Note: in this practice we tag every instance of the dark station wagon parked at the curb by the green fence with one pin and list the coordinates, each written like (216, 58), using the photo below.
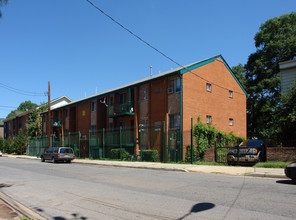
(55, 154)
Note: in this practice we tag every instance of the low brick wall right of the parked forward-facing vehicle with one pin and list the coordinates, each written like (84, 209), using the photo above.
(281, 154)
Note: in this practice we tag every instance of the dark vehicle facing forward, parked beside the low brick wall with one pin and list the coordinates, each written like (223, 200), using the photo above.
(249, 152)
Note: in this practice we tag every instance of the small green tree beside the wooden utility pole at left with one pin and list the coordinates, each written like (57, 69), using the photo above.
(34, 124)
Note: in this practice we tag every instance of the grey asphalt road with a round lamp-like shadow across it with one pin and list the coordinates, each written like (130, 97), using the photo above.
(75, 191)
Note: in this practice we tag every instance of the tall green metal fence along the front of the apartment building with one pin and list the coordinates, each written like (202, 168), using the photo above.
(170, 144)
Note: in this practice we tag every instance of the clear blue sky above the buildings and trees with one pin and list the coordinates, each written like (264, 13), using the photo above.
(80, 51)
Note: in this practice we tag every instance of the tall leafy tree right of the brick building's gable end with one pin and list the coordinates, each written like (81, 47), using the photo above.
(275, 42)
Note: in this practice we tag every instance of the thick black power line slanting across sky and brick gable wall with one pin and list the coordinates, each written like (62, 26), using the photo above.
(154, 48)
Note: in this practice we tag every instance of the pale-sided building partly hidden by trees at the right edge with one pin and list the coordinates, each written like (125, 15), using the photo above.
(288, 74)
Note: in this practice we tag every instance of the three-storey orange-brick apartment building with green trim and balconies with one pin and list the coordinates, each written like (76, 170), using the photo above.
(169, 100)
